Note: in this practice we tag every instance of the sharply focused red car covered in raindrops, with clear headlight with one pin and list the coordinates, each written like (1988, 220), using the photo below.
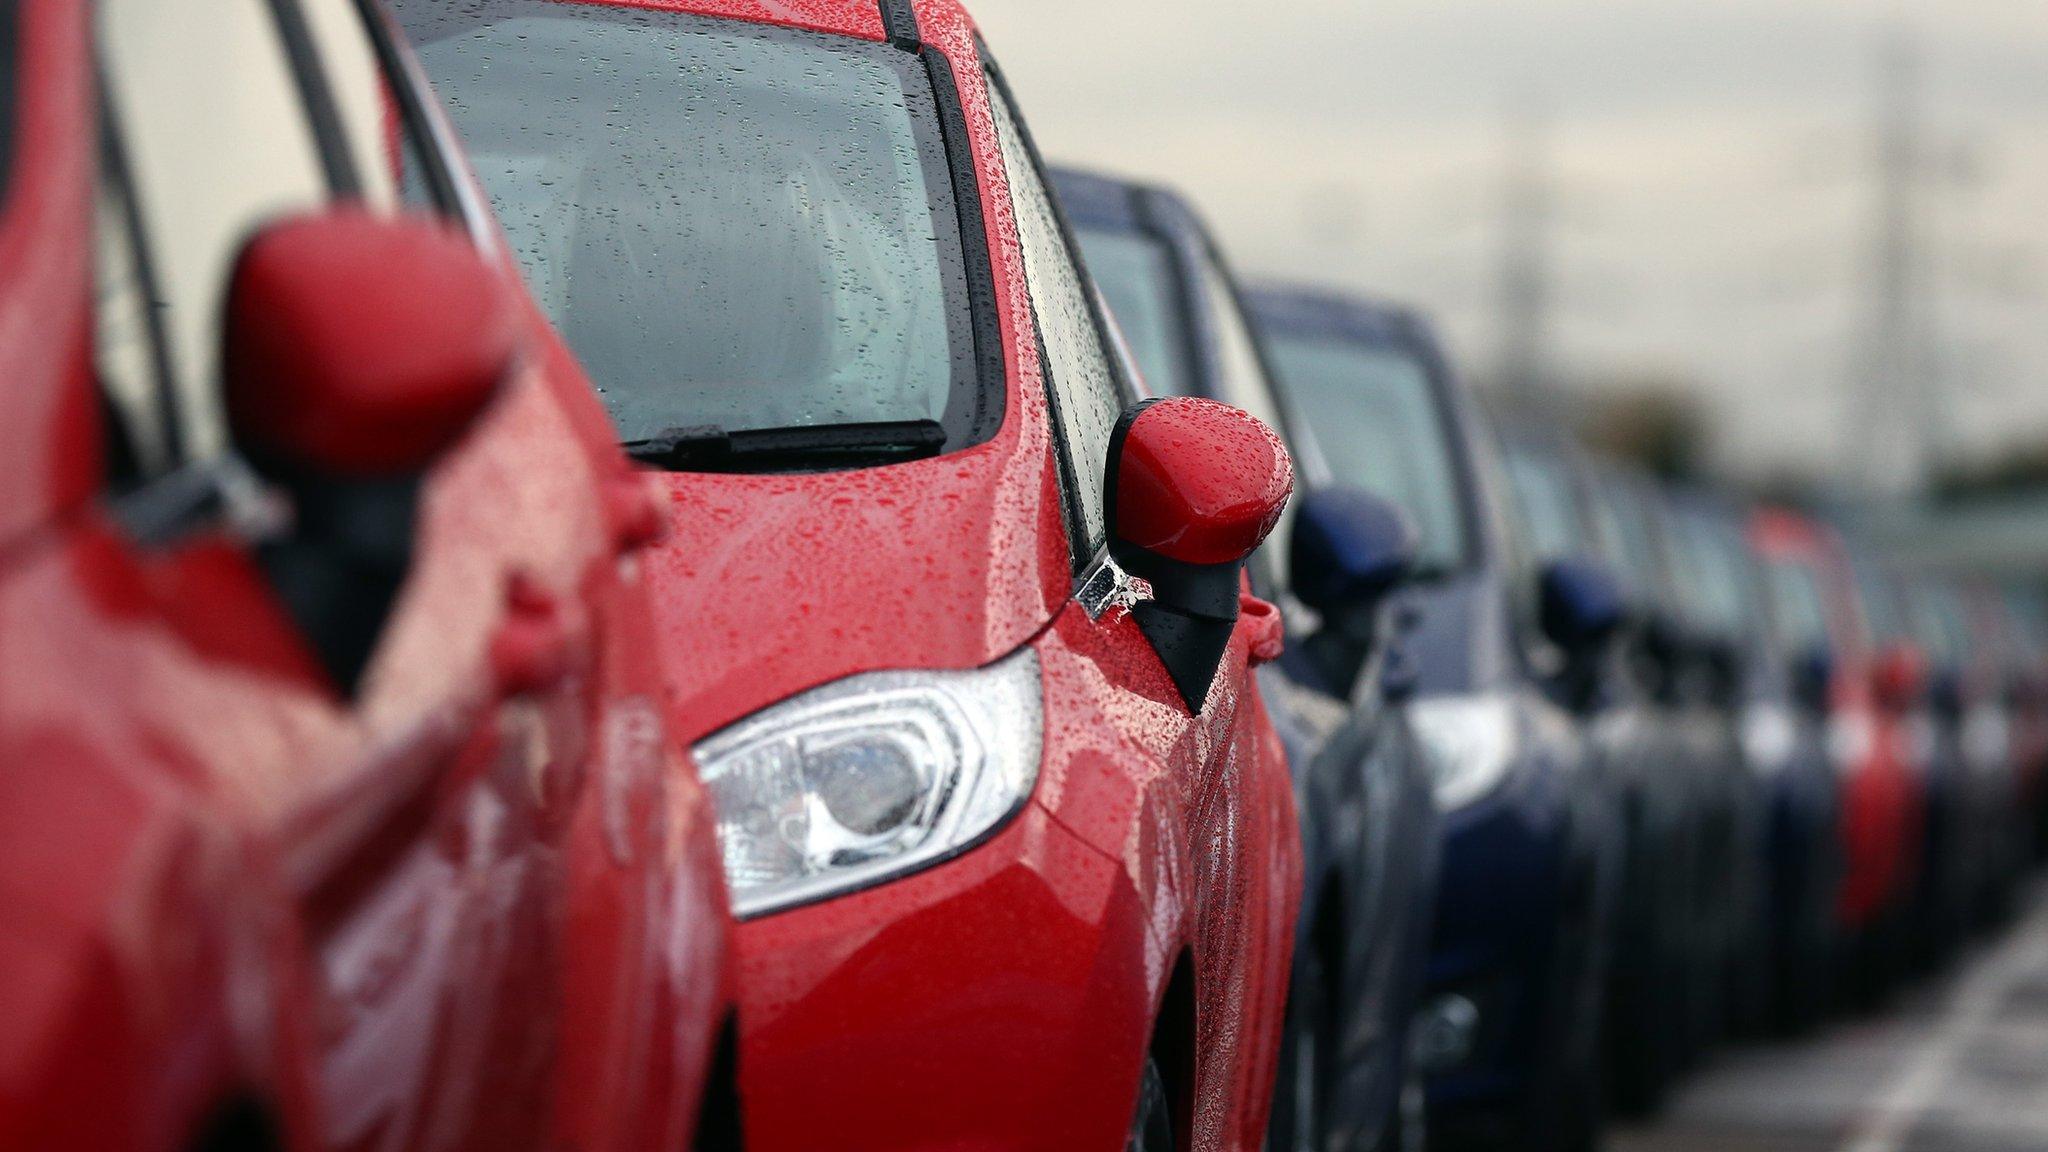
(1011, 835)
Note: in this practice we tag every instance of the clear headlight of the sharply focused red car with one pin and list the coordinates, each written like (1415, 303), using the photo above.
(871, 778)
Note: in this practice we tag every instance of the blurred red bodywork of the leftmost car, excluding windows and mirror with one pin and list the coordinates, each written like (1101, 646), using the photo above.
(472, 905)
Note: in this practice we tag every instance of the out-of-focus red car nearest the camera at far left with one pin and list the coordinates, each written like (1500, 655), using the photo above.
(337, 807)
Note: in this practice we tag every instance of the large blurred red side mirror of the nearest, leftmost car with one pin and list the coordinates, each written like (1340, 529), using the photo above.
(364, 347)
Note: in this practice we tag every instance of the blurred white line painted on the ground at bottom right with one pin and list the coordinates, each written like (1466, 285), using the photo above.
(1975, 1003)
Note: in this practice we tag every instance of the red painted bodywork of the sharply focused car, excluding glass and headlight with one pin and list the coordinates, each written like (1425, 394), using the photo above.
(1140, 903)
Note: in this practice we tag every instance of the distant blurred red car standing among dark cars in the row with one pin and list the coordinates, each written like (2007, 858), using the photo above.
(1871, 747)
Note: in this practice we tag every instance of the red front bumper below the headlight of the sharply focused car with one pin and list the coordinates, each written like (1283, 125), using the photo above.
(1000, 1001)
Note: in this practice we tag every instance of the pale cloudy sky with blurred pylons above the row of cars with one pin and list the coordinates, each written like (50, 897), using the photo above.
(1797, 245)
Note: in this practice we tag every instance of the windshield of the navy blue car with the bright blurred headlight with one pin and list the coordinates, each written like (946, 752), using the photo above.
(1379, 425)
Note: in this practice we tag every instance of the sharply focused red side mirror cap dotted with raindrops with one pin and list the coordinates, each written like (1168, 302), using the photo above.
(1197, 483)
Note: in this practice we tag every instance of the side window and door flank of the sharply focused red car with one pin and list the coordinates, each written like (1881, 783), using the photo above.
(1215, 846)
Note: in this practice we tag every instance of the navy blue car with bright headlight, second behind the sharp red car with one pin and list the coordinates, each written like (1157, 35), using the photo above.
(1510, 1030)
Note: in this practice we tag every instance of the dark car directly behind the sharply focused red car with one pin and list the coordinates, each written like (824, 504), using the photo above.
(1361, 776)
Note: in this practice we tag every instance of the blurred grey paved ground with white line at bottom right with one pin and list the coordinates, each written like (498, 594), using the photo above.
(1959, 1065)
